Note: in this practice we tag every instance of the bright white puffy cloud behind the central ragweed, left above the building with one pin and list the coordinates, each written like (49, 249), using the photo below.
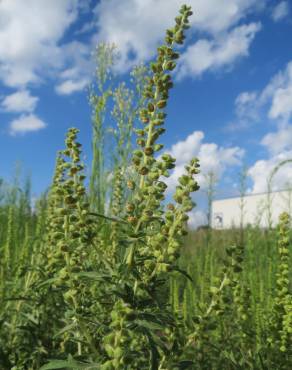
(213, 158)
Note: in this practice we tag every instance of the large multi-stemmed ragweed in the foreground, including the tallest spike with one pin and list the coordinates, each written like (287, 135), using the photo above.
(127, 280)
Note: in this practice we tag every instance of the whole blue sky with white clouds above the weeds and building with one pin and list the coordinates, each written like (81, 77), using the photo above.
(232, 102)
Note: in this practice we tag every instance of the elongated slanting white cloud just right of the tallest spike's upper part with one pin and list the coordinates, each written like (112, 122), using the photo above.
(224, 51)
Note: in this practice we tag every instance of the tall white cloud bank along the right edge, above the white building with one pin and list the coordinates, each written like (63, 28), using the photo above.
(273, 103)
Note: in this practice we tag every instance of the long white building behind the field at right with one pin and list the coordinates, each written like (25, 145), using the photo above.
(253, 209)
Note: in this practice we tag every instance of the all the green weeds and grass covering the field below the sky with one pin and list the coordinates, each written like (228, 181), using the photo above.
(108, 277)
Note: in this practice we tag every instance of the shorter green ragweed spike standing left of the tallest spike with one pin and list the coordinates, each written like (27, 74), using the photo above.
(72, 237)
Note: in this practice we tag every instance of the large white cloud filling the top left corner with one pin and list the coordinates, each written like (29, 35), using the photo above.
(30, 34)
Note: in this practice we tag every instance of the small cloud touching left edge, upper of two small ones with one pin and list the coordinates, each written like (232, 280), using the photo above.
(20, 101)
